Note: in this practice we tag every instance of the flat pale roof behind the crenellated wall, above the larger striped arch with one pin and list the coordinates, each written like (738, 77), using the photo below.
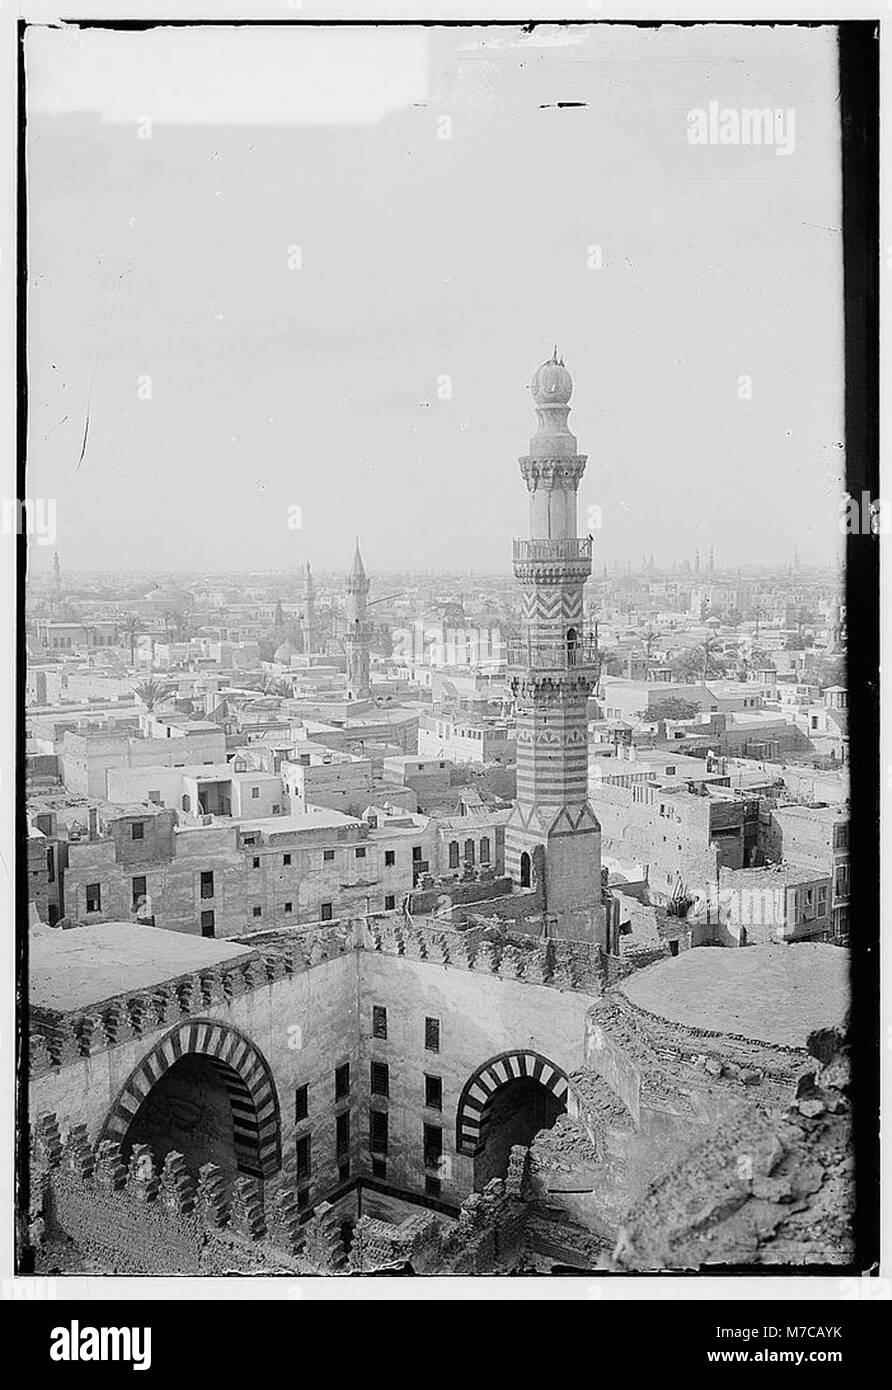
(87, 967)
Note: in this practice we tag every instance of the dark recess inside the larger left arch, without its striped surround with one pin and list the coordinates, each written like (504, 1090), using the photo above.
(190, 1111)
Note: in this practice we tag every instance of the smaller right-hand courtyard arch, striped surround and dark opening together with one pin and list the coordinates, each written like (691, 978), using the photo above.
(506, 1103)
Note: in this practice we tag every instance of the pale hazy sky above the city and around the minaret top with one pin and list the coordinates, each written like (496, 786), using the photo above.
(424, 258)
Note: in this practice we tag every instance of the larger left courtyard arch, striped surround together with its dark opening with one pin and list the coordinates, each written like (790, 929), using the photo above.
(206, 1092)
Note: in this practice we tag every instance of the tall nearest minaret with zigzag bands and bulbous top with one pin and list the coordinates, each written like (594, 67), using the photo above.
(554, 836)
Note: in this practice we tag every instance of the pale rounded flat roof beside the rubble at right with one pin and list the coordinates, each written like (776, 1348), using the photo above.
(772, 995)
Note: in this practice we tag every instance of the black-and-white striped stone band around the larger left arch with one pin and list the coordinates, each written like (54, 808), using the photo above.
(248, 1081)
